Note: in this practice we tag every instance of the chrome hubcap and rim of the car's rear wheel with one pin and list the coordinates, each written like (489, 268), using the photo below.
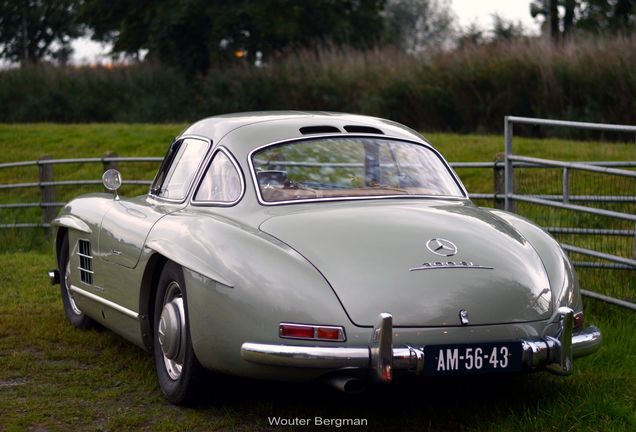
(171, 331)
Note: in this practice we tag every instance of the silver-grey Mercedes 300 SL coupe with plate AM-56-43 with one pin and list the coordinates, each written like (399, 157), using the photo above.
(304, 245)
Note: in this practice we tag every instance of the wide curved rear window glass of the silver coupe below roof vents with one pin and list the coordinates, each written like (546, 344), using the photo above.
(347, 167)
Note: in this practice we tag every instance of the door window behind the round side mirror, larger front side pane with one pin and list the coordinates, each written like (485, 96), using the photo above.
(176, 179)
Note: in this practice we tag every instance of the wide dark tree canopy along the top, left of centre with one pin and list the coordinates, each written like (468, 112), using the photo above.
(194, 34)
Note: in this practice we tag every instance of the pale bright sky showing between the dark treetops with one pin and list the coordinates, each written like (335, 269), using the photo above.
(467, 11)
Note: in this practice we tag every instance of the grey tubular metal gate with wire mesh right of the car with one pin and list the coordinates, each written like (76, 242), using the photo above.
(596, 227)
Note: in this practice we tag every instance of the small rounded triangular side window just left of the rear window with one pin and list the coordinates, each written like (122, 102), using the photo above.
(222, 181)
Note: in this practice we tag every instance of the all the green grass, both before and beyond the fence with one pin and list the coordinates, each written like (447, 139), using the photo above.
(53, 377)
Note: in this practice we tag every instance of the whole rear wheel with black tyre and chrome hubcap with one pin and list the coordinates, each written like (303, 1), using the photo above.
(178, 370)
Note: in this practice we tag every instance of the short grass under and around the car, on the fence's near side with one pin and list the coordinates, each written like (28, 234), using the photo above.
(53, 377)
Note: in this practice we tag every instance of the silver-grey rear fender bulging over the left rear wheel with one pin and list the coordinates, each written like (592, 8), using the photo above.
(241, 283)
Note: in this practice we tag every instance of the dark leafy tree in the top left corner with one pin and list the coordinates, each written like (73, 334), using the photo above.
(31, 30)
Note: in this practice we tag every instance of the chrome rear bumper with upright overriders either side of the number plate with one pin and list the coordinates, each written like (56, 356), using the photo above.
(554, 354)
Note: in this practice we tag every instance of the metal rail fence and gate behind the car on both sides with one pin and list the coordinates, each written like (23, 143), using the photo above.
(616, 211)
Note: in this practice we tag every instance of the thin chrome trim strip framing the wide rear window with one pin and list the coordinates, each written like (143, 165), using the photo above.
(384, 137)
